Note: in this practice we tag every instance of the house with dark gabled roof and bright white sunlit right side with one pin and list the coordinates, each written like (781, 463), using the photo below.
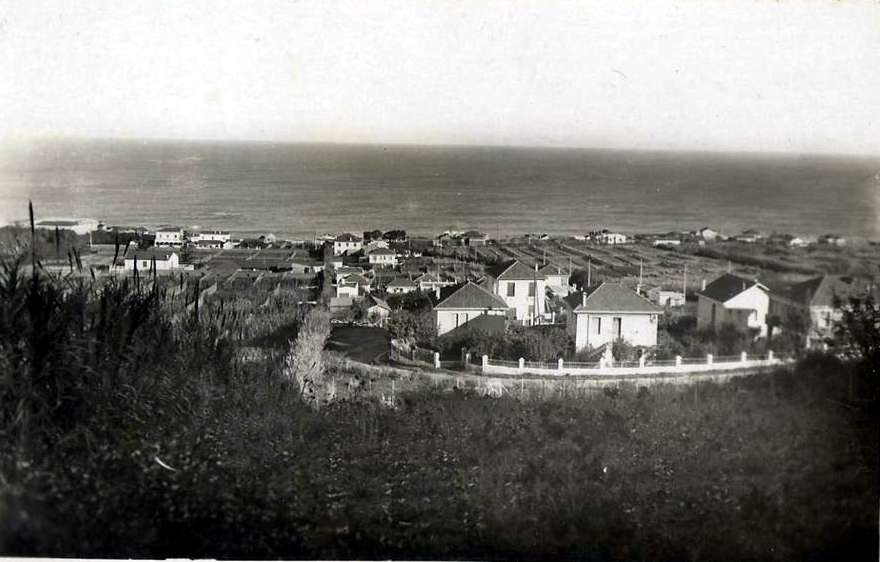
(734, 300)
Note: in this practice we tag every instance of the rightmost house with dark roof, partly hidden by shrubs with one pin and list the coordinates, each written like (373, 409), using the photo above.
(814, 299)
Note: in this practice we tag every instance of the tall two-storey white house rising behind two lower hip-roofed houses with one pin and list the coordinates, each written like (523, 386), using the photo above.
(522, 288)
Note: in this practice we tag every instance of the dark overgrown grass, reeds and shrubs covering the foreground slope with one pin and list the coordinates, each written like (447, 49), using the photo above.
(129, 429)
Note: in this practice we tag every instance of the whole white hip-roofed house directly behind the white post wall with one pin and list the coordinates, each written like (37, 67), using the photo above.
(607, 312)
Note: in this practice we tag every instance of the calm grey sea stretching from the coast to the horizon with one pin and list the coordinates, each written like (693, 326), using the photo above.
(297, 190)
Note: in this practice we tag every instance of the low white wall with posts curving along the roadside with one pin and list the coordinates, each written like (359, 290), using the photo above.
(679, 365)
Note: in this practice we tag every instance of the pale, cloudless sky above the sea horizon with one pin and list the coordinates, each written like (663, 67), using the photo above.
(732, 75)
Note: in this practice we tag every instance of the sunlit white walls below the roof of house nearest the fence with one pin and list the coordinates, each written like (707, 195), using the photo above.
(635, 328)
